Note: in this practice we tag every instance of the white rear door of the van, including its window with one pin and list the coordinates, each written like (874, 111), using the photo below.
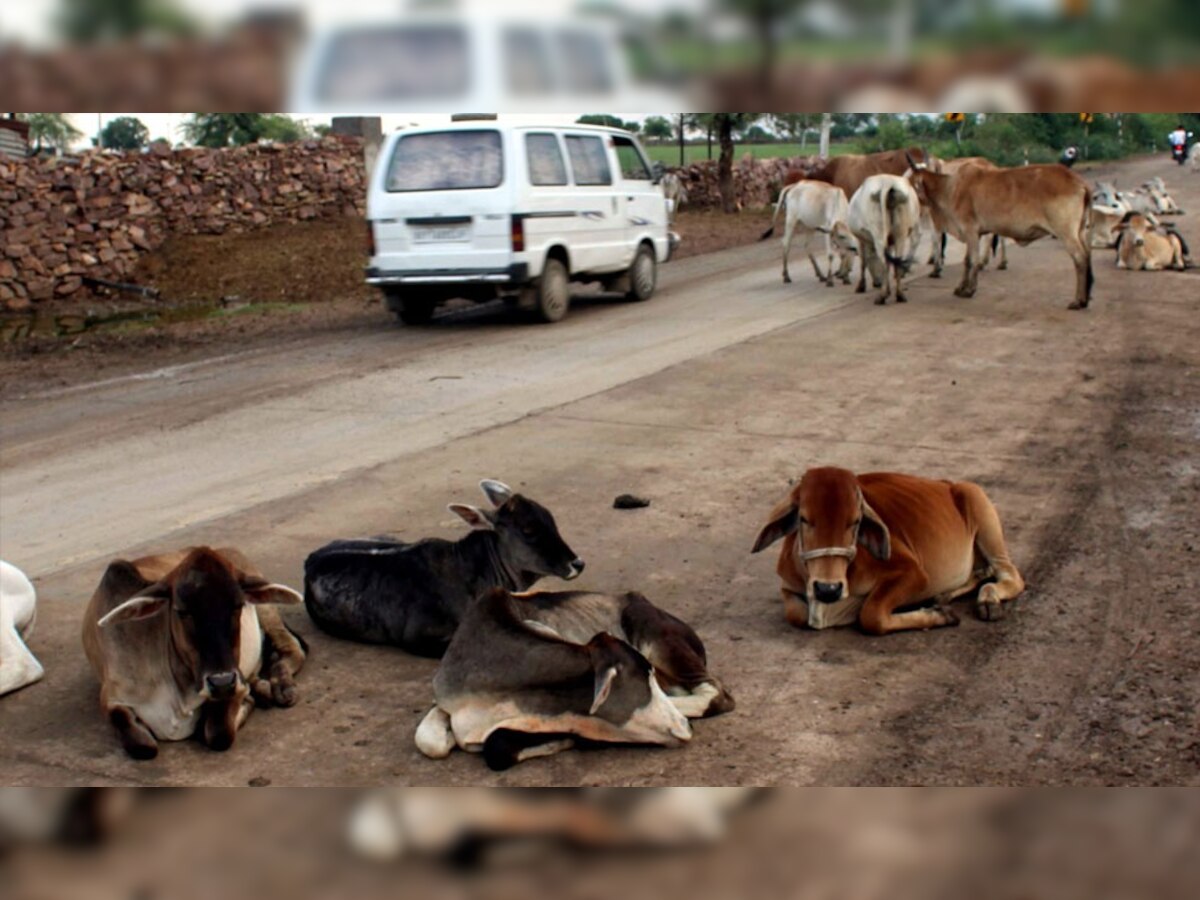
(443, 203)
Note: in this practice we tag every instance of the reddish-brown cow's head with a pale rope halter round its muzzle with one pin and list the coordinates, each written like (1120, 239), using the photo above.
(831, 520)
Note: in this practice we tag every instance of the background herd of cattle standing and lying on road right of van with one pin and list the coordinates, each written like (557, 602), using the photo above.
(879, 206)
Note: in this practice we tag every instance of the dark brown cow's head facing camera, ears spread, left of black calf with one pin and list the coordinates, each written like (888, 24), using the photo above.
(206, 598)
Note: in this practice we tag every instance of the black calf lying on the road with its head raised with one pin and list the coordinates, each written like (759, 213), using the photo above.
(413, 596)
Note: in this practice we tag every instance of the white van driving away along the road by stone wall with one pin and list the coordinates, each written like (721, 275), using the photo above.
(482, 209)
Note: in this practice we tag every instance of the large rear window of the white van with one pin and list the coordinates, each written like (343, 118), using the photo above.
(447, 161)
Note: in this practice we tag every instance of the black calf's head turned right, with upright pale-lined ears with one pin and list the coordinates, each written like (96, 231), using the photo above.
(527, 533)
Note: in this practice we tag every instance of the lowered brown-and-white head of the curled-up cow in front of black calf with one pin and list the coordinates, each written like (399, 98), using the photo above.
(628, 695)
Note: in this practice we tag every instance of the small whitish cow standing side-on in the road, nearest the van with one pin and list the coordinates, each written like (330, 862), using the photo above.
(817, 208)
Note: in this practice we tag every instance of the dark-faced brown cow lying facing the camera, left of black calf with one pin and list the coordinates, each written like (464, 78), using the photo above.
(184, 644)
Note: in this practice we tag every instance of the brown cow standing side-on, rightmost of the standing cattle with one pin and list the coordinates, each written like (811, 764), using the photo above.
(1025, 203)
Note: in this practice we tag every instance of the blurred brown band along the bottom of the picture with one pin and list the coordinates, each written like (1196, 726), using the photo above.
(853, 844)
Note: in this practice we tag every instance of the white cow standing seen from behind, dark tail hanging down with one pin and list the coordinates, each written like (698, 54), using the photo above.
(885, 217)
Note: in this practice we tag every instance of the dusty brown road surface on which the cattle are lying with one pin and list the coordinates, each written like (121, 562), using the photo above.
(1083, 427)
